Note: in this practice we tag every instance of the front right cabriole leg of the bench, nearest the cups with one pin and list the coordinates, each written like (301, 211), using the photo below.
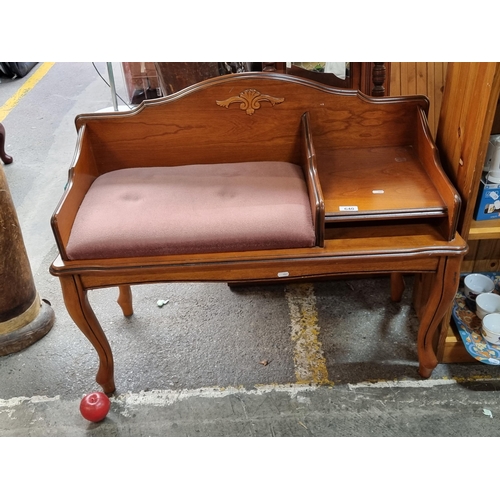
(444, 289)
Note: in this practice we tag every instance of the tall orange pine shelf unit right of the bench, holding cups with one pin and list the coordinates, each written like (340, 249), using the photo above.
(470, 113)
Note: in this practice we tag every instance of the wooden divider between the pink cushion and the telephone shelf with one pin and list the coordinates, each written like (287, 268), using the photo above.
(312, 180)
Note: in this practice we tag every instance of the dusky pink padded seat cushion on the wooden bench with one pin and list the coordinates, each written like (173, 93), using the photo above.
(193, 209)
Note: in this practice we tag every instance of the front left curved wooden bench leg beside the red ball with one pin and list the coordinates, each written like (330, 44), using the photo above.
(78, 306)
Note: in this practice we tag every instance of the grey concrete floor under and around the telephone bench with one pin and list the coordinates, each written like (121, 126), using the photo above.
(196, 366)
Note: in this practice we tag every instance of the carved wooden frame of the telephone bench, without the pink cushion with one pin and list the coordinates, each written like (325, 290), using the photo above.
(259, 117)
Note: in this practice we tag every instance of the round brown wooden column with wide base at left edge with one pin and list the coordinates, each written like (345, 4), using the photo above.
(24, 318)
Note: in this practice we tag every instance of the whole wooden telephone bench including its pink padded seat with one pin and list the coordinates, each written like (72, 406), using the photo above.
(256, 177)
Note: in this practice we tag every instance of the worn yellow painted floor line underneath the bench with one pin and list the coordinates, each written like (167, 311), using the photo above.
(310, 363)
